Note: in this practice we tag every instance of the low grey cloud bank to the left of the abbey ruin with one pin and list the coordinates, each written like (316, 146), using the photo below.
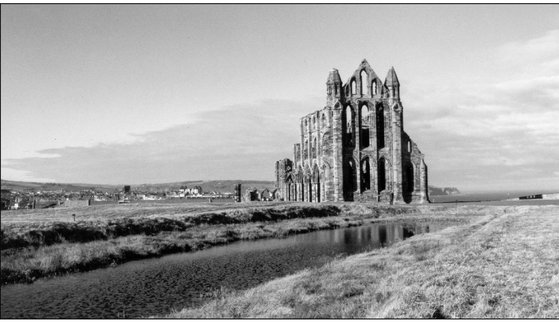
(236, 142)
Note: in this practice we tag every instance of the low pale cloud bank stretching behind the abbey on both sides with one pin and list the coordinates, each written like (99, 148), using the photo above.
(494, 131)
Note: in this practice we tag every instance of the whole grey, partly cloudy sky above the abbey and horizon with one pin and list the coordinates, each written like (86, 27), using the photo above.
(130, 94)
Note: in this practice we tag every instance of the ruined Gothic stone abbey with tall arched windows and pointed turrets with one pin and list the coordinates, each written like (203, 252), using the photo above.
(355, 148)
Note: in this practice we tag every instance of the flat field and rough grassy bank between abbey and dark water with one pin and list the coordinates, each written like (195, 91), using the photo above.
(42, 243)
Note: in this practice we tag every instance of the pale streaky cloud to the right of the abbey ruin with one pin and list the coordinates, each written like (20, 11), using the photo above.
(496, 134)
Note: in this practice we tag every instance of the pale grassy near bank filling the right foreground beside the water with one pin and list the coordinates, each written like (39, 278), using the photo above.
(502, 264)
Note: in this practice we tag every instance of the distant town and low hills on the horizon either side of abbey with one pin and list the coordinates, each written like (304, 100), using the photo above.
(17, 195)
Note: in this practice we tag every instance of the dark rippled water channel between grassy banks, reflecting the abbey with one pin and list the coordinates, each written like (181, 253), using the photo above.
(156, 286)
